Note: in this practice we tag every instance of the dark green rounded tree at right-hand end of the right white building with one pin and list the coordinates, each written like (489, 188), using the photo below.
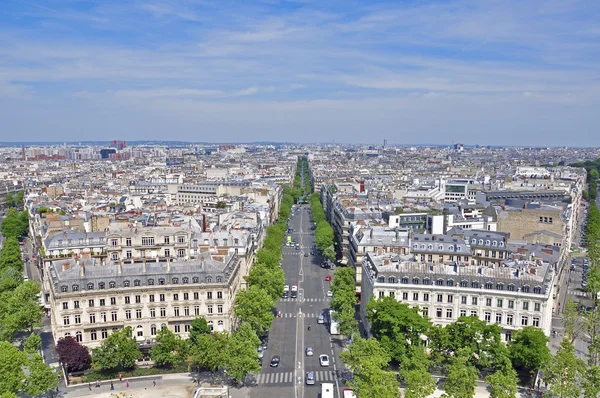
(528, 349)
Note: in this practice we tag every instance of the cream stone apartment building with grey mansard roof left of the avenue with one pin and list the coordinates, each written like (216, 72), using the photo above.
(89, 300)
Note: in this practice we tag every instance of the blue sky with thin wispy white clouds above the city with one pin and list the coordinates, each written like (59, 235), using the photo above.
(479, 72)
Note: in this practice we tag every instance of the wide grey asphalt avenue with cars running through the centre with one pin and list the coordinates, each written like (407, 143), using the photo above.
(289, 335)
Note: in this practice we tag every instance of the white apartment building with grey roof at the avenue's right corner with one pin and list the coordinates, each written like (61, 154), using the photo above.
(513, 296)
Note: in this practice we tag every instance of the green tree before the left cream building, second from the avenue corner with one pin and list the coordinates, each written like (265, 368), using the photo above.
(210, 351)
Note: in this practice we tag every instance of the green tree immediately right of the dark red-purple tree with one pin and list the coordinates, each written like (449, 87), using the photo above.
(118, 351)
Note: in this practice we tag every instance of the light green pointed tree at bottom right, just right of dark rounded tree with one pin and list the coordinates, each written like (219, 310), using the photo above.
(563, 372)
